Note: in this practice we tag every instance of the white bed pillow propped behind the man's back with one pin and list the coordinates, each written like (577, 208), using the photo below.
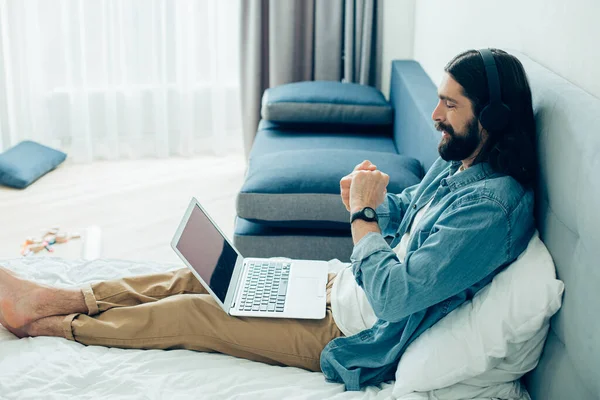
(504, 327)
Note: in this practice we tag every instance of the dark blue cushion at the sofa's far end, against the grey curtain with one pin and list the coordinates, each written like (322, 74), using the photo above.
(328, 102)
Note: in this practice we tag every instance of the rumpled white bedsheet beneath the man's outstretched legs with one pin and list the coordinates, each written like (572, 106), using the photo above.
(52, 368)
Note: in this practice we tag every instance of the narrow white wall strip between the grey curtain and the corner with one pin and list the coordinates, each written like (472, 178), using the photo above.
(398, 36)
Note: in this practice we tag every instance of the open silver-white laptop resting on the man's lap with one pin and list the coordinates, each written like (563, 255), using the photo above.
(249, 287)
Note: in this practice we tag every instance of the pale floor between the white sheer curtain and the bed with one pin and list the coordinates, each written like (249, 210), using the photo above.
(137, 204)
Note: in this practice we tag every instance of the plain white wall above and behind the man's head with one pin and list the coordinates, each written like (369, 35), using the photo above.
(562, 35)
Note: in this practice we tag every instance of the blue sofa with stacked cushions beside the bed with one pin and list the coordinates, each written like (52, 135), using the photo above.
(310, 136)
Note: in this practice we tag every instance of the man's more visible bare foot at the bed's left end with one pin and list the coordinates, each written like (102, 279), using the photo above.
(22, 302)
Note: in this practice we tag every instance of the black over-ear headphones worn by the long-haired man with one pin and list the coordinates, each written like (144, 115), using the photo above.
(495, 115)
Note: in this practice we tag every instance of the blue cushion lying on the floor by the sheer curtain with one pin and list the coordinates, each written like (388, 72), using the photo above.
(23, 164)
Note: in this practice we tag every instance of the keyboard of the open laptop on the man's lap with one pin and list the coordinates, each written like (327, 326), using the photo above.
(266, 286)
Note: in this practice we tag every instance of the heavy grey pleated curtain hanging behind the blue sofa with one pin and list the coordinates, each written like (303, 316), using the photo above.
(286, 41)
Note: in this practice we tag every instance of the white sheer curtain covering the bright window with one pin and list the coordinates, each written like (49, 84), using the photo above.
(110, 79)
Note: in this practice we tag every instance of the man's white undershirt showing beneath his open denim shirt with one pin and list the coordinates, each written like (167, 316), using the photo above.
(350, 308)
